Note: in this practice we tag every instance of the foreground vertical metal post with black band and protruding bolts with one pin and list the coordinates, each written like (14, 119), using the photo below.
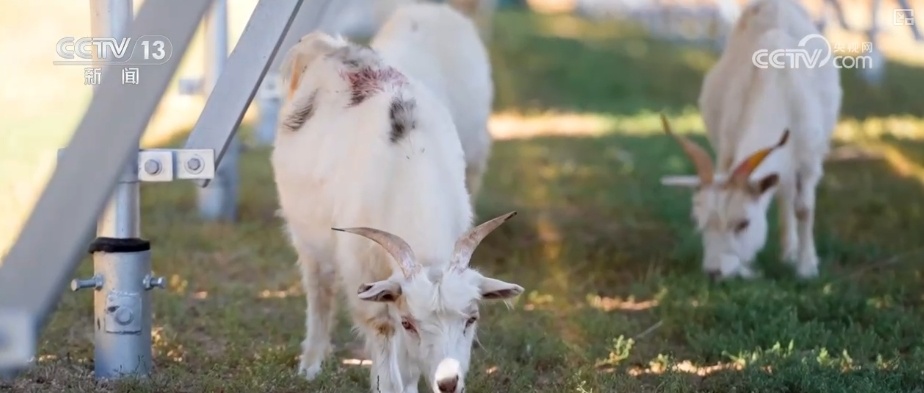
(121, 259)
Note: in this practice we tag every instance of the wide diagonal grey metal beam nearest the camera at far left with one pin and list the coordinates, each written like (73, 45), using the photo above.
(54, 237)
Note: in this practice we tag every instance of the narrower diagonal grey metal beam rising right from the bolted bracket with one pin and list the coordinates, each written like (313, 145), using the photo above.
(242, 74)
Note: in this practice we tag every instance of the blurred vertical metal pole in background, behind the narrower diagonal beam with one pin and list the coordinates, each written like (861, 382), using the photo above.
(218, 200)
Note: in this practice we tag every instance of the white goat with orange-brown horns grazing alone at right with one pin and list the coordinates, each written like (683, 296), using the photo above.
(749, 113)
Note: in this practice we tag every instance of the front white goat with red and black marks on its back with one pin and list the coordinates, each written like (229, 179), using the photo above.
(360, 145)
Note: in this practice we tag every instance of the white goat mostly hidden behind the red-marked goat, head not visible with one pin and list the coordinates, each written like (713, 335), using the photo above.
(441, 48)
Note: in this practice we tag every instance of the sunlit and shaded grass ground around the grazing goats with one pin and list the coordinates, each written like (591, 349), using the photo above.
(615, 300)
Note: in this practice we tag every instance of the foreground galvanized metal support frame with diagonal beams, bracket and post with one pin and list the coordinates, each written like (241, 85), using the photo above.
(89, 172)
